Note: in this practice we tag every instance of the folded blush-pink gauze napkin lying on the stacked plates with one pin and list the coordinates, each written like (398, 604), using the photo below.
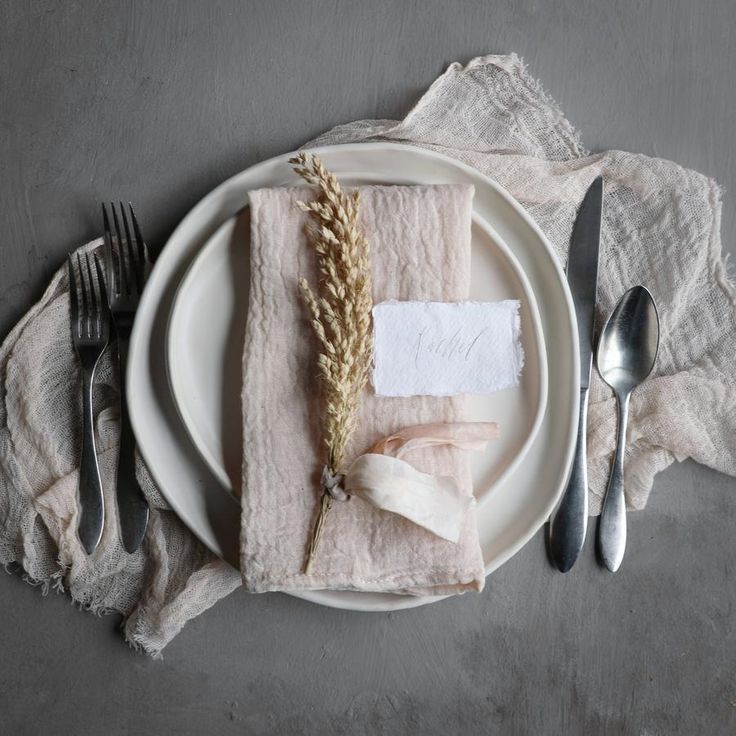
(420, 250)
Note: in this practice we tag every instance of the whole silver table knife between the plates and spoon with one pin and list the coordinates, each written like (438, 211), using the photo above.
(569, 523)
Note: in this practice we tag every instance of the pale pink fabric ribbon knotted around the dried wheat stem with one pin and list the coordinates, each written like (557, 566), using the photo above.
(382, 478)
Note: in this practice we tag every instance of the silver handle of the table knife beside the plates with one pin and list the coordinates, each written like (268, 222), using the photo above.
(569, 524)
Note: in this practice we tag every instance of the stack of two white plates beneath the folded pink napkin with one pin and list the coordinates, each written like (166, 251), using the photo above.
(184, 372)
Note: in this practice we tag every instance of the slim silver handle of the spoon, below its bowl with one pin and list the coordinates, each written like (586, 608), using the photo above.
(612, 524)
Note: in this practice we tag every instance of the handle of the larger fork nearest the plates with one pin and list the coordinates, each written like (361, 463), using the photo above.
(132, 505)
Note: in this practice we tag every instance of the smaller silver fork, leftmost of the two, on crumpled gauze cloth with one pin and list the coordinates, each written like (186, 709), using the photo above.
(90, 325)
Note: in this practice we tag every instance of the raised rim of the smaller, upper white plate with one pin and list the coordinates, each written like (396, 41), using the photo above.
(209, 246)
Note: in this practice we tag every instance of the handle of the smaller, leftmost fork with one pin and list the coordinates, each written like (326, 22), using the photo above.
(91, 500)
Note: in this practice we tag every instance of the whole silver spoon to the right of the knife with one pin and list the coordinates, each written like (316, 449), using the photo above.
(627, 350)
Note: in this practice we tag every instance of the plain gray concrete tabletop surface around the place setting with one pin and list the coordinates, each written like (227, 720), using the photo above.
(160, 101)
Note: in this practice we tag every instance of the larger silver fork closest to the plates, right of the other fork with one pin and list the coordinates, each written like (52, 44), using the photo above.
(126, 264)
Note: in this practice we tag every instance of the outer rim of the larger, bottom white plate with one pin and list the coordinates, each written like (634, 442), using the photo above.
(212, 208)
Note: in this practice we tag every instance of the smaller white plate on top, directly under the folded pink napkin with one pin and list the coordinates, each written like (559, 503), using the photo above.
(205, 343)
